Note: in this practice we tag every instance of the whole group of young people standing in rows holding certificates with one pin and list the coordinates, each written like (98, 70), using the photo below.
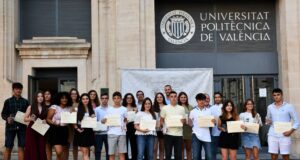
(189, 138)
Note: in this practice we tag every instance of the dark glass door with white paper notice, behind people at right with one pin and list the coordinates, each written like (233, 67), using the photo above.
(256, 87)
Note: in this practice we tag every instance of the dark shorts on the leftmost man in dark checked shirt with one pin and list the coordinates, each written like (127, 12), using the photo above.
(10, 137)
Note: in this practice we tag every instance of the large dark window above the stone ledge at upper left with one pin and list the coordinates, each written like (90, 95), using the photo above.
(44, 18)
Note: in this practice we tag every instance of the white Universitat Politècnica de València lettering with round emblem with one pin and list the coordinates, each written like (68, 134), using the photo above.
(178, 27)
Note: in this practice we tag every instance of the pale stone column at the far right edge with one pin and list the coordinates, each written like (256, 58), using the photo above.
(288, 32)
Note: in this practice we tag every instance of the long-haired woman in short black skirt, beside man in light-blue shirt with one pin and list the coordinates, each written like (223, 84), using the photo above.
(84, 136)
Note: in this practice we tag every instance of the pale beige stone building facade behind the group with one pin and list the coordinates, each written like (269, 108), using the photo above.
(123, 34)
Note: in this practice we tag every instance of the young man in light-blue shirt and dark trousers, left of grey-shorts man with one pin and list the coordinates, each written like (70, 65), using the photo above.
(101, 136)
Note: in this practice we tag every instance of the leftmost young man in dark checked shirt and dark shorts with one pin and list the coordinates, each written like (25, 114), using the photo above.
(11, 107)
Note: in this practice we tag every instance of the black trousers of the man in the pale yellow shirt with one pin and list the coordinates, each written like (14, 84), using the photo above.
(173, 142)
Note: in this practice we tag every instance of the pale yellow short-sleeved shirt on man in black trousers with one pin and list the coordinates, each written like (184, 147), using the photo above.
(170, 110)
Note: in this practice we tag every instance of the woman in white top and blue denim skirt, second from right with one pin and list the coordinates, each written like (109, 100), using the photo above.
(250, 141)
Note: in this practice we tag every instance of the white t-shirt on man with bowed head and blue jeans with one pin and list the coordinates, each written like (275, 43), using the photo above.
(203, 133)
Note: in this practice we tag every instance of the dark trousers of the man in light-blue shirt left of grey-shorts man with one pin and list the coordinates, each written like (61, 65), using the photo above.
(100, 139)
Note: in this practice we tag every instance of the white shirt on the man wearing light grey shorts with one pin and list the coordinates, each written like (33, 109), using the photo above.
(120, 130)
